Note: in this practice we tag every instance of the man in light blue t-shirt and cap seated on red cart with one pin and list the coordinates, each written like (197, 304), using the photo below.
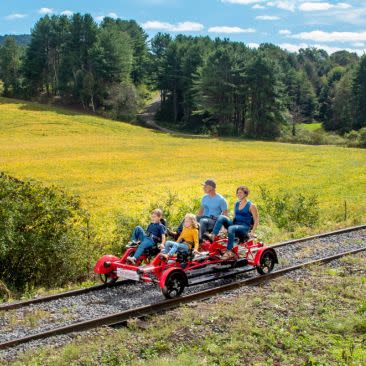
(212, 206)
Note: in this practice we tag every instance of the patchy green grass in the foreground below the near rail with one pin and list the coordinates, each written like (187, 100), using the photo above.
(318, 319)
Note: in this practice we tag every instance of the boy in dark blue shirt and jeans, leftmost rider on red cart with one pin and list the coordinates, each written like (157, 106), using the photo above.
(155, 233)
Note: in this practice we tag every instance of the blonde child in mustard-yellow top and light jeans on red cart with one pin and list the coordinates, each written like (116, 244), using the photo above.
(186, 240)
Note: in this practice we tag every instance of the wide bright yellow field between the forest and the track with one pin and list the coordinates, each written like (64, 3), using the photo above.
(118, 167)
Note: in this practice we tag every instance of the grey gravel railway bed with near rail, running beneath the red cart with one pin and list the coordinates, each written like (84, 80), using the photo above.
(73, 312)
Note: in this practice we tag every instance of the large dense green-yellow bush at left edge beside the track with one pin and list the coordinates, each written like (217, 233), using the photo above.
(44, 235)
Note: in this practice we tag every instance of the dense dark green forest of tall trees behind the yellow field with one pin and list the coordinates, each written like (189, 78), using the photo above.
(206, 85)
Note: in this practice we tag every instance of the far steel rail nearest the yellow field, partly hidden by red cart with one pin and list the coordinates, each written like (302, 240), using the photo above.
(44, 299)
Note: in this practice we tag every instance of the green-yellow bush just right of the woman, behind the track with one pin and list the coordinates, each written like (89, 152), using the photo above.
(289, 210)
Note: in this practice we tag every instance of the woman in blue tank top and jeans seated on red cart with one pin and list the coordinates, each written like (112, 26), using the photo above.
(245, 220)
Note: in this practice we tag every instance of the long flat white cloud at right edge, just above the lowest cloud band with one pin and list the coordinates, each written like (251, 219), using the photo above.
(321, 36)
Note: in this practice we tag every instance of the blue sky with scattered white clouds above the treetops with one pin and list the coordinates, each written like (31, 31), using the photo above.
(292, 24)
